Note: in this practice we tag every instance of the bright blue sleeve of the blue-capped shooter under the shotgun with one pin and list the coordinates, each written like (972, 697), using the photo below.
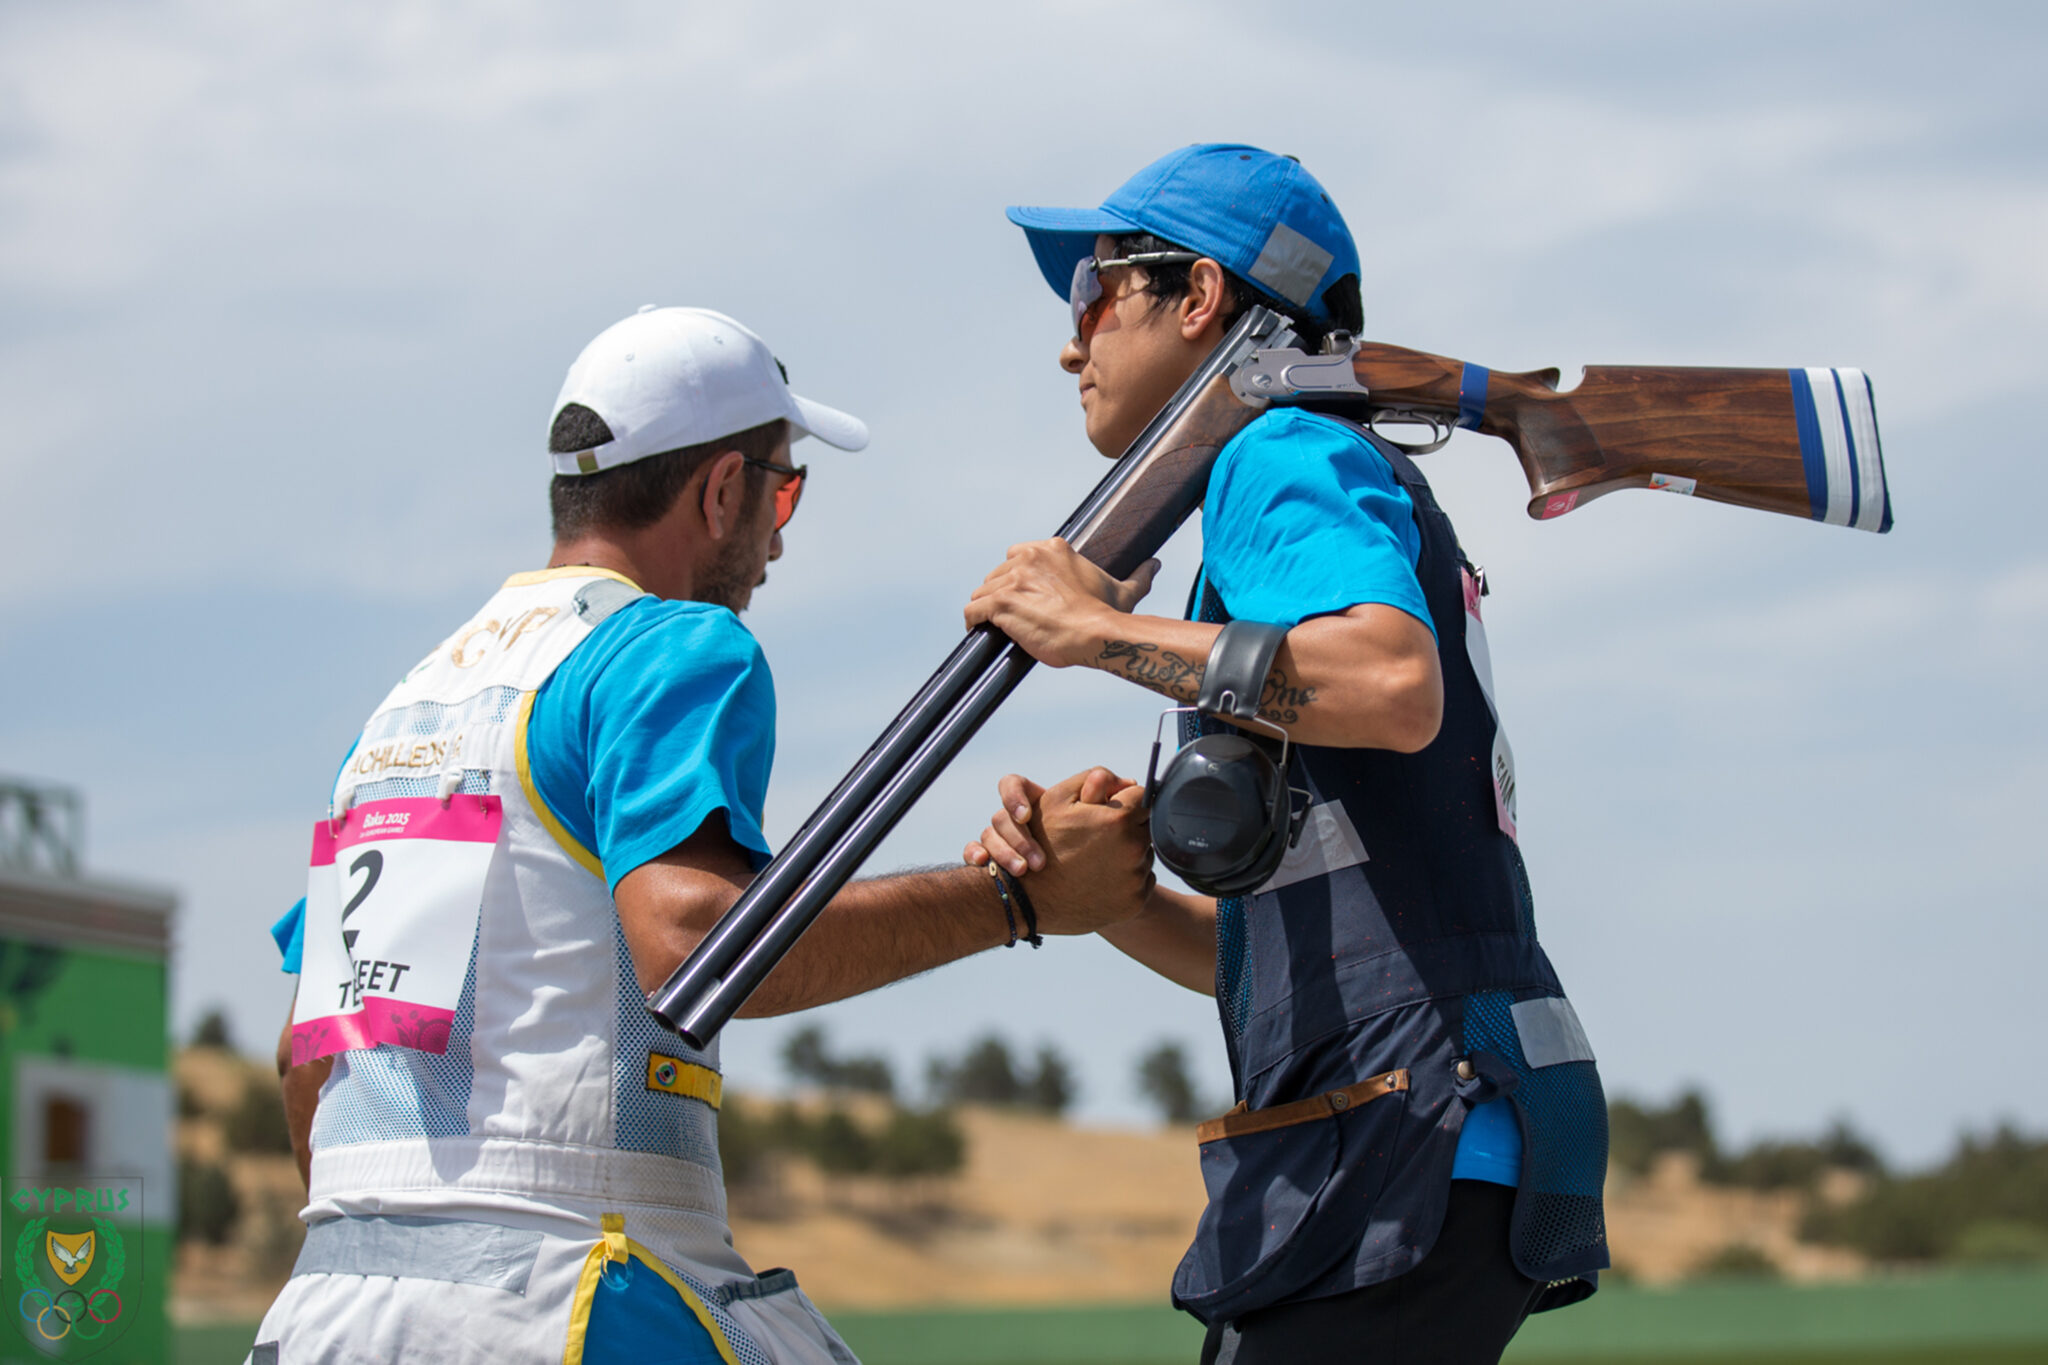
(1304, 519)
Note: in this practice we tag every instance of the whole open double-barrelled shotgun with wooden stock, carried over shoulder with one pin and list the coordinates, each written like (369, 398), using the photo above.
(1785, 441)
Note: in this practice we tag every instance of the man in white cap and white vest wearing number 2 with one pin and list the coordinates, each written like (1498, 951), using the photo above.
(511, 1161)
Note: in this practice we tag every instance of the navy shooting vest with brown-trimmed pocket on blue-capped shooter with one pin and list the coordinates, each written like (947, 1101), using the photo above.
(1398, 938)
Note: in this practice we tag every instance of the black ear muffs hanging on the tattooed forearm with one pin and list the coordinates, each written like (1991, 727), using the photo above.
(1224, 813)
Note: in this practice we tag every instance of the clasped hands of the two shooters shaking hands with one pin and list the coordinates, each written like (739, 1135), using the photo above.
(1080, 846)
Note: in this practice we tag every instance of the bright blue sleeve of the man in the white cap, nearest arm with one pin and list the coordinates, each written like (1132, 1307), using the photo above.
(658, 721)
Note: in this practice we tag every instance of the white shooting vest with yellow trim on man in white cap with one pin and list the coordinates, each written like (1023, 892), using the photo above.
(550, 1086)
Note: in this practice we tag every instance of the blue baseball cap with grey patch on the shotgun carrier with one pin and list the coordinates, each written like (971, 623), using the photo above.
(1261, 216)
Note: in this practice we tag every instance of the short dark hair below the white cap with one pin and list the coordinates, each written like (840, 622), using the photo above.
(640, 494)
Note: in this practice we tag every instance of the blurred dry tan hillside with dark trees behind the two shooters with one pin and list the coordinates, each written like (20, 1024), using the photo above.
(986, 1196)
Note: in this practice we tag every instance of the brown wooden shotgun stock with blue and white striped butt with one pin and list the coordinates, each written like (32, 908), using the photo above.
(1803, 443)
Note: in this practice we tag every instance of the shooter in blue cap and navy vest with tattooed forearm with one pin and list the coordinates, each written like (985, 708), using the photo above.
(1420, 1143)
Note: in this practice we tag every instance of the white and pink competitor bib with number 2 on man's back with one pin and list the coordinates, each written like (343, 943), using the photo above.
(392, 908)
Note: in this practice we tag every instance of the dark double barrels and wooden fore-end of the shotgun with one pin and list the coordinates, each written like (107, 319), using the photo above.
(1123, 523)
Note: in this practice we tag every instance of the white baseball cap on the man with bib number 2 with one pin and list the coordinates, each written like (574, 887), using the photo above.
(677, 378)
